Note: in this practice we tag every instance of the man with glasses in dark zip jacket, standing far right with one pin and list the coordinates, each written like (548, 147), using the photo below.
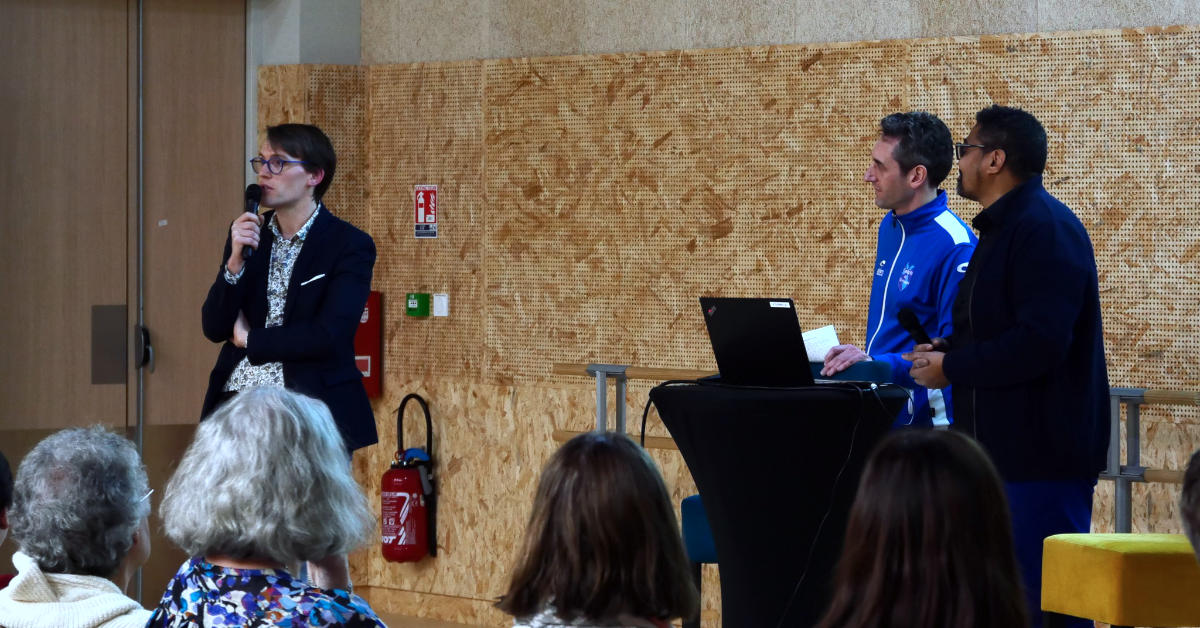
(1027, 357)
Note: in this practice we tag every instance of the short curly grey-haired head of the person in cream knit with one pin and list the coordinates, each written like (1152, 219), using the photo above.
(79, 500)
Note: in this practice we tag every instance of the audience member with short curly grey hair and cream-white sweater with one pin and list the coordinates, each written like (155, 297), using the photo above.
(79, 515)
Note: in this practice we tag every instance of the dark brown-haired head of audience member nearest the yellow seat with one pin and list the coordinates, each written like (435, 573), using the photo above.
(929, 543)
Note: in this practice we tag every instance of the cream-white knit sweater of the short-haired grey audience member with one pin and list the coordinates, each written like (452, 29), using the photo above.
(35, 600)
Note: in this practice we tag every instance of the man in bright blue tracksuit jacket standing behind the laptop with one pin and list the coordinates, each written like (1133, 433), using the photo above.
(921, 255)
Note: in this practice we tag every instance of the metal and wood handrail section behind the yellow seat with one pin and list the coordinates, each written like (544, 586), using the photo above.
(1132, 471)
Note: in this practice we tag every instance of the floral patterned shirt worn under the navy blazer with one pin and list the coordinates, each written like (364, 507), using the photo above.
(284, 259)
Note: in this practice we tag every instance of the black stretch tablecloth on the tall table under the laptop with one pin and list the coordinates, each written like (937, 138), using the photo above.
(777, 470)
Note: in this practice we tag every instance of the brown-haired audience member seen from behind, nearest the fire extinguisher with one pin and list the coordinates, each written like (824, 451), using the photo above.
(603, 547)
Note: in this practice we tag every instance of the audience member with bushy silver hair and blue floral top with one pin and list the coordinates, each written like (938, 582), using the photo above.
(266, 486)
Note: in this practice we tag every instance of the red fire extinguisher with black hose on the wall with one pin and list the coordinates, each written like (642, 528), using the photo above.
(410, 497)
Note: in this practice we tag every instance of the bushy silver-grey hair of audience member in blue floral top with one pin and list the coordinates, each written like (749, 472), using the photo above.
(267, 477)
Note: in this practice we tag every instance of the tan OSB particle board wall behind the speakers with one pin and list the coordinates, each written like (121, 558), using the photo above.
(587, 201)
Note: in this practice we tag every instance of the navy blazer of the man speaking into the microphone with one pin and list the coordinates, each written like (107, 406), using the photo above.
(327, 295)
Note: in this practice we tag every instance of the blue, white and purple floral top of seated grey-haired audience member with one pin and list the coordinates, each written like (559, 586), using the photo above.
(203, 595)
